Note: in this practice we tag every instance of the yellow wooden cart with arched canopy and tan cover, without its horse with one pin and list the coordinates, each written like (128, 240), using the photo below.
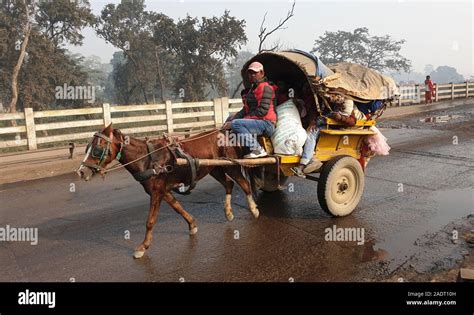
(342, 150)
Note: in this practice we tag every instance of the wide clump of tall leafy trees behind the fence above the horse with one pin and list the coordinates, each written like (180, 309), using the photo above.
(167, 59)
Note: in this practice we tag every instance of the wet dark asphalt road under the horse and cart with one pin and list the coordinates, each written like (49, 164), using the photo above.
(83, 234)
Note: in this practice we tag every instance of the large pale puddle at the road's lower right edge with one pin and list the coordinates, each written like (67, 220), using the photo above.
(448, 206)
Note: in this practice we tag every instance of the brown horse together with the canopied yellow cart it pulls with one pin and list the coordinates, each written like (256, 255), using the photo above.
(164, 164)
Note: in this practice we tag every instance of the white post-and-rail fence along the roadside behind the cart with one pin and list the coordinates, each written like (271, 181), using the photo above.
(37, 128)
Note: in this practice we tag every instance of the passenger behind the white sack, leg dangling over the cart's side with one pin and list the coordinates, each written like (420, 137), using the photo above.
(309, 118)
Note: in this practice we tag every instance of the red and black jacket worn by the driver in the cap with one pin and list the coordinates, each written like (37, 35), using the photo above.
(259, 102)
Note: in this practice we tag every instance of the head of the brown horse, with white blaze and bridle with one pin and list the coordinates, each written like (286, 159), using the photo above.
(104, 147)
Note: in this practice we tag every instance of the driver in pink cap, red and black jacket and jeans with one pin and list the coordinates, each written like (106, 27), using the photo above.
(258, 116)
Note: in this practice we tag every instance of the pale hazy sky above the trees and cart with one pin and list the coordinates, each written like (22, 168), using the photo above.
(437, 33)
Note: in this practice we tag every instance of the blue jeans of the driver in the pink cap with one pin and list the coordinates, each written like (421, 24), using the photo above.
(248, 129)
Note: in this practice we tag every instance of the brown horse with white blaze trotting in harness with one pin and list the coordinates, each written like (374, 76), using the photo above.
(134, 154)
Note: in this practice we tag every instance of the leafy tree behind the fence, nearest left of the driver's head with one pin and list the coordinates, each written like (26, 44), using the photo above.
(202, 49)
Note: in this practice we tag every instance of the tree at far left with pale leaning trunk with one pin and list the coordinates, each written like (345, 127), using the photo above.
(34, 62)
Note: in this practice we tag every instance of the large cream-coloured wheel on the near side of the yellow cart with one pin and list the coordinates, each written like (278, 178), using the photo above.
(340, 185)
